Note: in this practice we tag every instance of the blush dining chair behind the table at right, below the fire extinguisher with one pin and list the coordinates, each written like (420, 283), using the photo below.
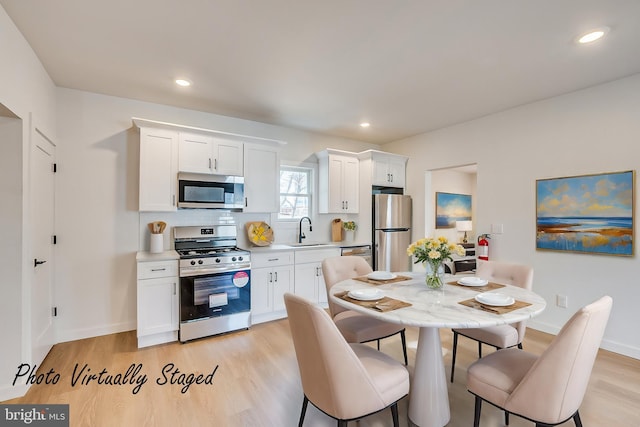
(500, 336)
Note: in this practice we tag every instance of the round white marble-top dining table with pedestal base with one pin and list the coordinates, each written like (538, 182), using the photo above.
(429, 311)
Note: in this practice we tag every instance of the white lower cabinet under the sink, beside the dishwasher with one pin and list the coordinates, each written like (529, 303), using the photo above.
(309, 278)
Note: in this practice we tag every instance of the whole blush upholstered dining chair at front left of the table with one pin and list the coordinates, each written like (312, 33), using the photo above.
(345, 381)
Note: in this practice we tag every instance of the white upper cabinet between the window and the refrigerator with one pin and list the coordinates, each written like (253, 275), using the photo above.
(338, 181)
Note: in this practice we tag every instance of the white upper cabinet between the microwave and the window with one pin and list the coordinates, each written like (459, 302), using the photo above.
(261, 178)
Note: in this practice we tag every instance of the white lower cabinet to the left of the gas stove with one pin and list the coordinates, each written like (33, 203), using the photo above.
(157, 311)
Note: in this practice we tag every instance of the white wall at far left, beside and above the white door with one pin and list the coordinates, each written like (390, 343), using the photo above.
(28, 93)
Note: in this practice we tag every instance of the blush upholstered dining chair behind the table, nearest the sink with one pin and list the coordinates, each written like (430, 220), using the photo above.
(356, 327)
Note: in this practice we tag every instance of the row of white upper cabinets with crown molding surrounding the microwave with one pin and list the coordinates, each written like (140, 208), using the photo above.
(166, 149)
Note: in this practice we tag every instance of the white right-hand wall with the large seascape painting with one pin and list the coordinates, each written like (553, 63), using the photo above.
(588, 131)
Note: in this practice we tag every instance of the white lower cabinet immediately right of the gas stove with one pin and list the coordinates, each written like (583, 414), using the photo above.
(271, 278)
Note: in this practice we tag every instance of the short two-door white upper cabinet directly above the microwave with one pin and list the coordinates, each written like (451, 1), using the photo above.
(201, 153)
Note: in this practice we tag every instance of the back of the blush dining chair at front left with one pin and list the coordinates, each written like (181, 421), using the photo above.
(333, 378)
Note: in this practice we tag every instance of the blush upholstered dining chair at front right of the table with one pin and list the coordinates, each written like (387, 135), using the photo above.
(548, 389)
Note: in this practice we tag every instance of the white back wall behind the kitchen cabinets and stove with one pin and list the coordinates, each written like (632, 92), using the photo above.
(98, 225)
